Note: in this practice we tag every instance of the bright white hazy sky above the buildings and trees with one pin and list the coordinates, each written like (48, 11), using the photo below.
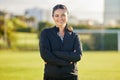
(81, 9)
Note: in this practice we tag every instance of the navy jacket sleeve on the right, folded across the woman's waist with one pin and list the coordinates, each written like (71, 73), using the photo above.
(73, 56)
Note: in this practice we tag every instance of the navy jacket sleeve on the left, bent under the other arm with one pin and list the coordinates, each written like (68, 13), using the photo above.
(46, 54)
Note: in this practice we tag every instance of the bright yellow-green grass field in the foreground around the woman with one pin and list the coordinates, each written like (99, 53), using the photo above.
(27, 65)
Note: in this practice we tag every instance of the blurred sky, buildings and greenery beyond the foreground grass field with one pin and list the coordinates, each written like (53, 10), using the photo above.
(22, 21)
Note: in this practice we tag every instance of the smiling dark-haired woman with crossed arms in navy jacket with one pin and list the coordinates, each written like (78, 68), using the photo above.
(60, 48)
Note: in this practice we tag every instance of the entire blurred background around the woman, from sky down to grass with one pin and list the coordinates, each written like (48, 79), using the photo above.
(96, 21)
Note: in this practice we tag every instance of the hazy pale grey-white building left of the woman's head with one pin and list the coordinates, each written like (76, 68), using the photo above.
(39, 15)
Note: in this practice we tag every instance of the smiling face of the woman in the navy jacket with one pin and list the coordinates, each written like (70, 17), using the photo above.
(60, 17)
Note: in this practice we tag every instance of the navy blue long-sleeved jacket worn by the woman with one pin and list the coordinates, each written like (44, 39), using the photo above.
(60, 56)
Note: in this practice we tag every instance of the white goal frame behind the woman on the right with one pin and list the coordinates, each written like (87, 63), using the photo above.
(102, 33)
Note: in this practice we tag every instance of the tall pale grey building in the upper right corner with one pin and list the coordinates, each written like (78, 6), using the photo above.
(112, 12)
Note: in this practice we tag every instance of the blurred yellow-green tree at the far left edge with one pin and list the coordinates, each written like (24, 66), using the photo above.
(7, 28)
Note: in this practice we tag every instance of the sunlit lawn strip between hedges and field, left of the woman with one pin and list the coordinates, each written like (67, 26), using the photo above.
(23, 41)
